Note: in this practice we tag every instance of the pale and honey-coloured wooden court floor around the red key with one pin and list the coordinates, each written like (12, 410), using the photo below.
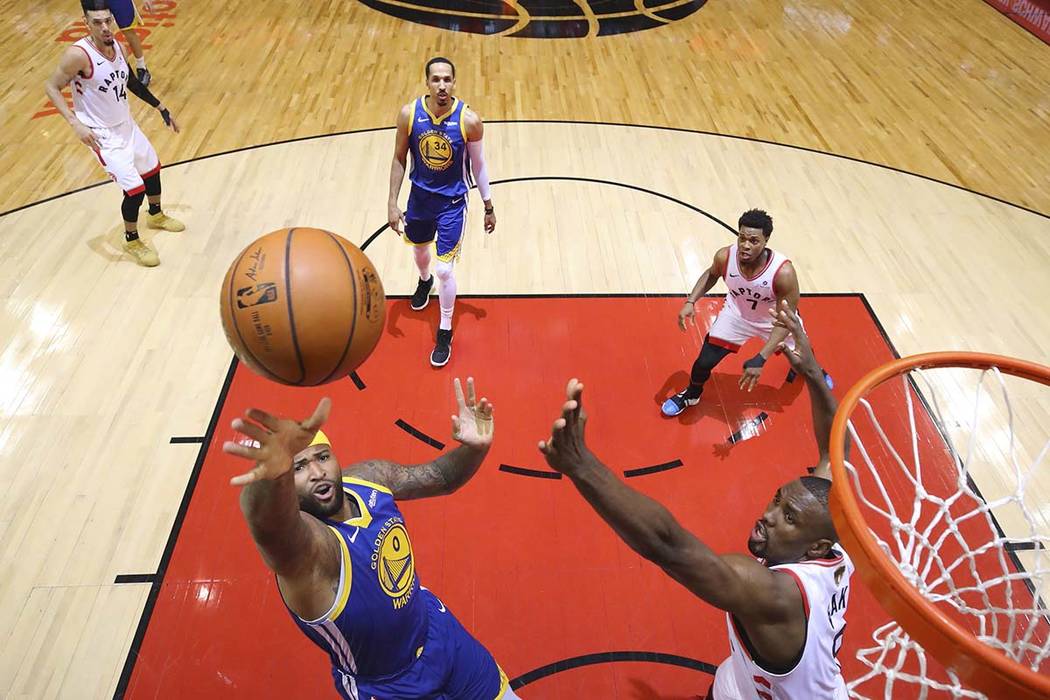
(755, 103)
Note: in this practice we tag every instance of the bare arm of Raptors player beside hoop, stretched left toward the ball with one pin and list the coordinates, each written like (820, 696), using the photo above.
(732, 583)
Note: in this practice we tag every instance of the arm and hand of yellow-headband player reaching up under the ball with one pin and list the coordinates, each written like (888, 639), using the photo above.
(296, 546)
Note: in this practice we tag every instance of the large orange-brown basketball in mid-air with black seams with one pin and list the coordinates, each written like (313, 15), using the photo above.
(303, 307)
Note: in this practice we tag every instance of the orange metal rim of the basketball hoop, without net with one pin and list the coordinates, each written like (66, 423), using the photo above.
(978, 666)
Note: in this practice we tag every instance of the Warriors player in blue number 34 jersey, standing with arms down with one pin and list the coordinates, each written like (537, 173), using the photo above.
(445, 139)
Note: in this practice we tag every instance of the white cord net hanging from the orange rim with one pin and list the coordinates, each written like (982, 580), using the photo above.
(979, 556)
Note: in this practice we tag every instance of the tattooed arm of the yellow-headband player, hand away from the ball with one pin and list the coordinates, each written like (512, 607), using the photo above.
(474, 428)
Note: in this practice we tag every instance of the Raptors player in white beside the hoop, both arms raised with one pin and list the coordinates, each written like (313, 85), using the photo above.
(786, 603)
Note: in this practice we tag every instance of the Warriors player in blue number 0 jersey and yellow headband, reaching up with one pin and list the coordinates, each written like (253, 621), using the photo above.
(344, 559)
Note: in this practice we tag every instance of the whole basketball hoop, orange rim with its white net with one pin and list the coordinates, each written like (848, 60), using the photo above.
(929, 544)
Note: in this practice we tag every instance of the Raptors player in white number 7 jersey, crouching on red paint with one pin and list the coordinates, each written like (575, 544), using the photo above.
(758, 279)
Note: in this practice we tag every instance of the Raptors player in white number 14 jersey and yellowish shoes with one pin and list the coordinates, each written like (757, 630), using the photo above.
(101, 119)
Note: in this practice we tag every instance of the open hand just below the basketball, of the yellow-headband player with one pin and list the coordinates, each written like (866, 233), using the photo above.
(277, 441)
